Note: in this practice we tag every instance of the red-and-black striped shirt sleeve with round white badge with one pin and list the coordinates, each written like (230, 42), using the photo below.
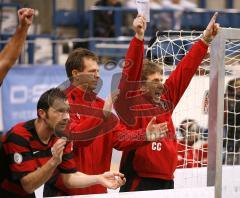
(21, 161)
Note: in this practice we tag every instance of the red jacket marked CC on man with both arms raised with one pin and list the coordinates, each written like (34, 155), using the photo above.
(157, 159)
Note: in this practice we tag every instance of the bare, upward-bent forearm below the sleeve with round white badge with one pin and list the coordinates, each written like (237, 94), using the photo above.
(37, 178)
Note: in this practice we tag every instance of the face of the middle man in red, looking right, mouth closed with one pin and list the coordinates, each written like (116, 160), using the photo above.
(88, 78)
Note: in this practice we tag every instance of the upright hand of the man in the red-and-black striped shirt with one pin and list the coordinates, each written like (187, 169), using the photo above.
(57, 150)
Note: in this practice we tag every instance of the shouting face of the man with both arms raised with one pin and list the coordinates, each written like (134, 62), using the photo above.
(154, 86)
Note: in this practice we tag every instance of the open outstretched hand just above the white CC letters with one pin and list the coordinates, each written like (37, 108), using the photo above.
(156, 131)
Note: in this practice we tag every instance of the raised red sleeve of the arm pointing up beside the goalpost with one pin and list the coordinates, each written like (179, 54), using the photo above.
(180, 78)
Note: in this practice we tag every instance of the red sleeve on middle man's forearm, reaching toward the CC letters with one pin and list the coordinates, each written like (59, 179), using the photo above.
(125, 139)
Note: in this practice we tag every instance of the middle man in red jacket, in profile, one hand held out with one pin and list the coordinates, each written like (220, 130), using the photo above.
(93, 155)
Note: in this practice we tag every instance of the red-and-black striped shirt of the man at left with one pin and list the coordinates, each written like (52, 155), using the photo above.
(24, 153)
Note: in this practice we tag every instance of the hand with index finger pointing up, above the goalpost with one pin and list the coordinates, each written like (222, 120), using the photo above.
(212, 29)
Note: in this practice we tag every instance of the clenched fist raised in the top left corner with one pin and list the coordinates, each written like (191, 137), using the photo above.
(25, 17)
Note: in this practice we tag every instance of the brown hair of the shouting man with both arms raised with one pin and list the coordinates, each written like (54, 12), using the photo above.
(150, 68)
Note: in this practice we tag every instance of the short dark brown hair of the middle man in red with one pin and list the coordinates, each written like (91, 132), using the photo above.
(75, 60)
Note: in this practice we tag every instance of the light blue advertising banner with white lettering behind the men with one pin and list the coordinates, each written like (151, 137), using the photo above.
(23, 86)
